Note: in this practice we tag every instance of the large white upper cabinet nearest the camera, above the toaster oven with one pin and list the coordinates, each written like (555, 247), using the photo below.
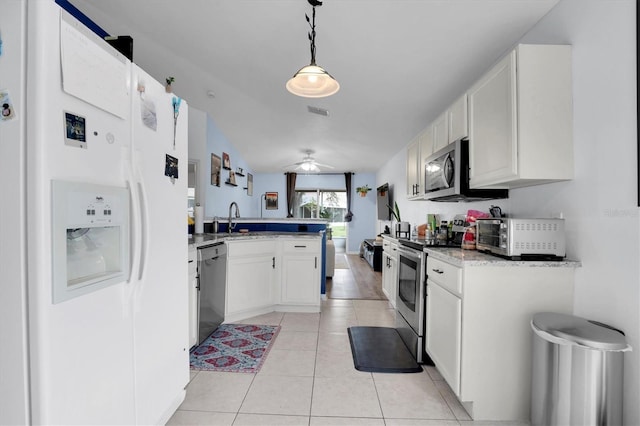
(521, 120)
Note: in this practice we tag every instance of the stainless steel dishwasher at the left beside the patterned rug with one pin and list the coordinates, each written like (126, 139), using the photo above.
(212, 275)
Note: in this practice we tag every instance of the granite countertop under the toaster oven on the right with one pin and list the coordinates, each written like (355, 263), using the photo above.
(461, 258)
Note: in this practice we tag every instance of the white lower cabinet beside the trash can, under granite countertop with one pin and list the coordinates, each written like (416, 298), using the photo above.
(478, 329)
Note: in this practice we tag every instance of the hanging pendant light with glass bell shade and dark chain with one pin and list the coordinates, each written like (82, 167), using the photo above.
(312, 81)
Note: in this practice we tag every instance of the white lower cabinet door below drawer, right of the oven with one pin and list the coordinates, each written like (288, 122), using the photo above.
(444, 324)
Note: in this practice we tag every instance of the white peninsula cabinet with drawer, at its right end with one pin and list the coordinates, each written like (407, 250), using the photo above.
(300, 274)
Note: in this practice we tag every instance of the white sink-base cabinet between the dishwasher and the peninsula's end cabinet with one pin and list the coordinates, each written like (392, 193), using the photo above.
(250, 276)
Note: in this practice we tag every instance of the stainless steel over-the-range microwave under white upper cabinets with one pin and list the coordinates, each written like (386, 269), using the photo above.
(446, 176)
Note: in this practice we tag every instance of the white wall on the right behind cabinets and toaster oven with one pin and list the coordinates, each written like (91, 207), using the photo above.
(600, 204)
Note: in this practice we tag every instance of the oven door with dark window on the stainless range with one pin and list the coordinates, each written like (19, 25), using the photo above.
(410, 295)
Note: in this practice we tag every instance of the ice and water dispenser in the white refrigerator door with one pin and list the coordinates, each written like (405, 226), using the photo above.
(90, 238)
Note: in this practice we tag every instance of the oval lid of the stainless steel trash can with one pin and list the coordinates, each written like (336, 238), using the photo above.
(580, 331)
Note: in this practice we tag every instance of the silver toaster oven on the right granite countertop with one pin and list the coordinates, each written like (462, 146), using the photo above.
(522, 239)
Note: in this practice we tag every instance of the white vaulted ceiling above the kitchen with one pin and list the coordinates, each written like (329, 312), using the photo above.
(399, 64)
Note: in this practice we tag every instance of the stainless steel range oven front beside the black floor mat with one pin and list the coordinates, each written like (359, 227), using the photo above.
(411, 299)
